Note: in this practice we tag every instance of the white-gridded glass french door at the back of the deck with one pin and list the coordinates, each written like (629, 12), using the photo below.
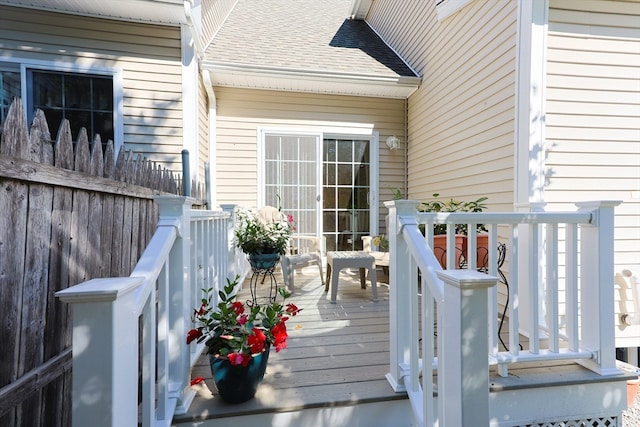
(324, 182)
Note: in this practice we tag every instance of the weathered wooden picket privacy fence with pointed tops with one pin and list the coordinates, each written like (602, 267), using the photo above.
(68, 213)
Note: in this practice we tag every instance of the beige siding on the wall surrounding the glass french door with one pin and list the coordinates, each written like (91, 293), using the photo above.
(241, 112)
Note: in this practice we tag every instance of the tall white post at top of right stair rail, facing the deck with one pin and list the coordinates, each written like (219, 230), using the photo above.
(400, 293)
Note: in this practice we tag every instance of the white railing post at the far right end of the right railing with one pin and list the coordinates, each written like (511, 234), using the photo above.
(597, 287)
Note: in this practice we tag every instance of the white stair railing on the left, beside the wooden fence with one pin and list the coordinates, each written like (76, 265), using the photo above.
(121, 324)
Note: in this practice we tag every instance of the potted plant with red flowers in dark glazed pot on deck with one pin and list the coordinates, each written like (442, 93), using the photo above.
(238, 339)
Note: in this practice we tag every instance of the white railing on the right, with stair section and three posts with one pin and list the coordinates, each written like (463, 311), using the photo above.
(559, 272)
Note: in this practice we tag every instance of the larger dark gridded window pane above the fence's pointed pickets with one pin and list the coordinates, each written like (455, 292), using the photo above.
(85, 100)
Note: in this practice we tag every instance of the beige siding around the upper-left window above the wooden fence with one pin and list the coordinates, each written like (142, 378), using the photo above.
(148, 55)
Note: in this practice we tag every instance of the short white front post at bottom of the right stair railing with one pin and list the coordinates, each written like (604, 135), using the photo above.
(463, 372)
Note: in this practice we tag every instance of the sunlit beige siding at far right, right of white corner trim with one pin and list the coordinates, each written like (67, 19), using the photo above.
(593, 113)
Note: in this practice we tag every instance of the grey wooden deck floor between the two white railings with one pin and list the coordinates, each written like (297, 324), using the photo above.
(337, 354)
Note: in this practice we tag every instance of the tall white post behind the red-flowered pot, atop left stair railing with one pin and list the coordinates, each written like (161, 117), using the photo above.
(174, 210)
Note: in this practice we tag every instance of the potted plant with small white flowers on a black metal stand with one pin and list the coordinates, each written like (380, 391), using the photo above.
(264, 240)
